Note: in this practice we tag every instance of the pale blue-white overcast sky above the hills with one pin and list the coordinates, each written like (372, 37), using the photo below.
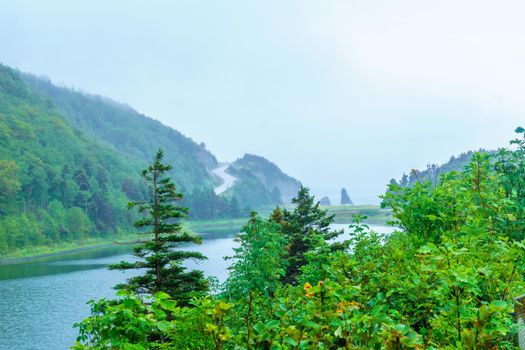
(337, 93)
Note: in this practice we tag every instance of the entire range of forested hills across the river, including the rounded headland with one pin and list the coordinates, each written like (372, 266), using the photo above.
(71, 161)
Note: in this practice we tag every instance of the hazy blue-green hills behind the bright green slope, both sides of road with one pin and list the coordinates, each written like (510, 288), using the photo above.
(135, 137)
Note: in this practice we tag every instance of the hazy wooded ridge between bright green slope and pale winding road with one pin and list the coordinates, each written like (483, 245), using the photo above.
(135, 137)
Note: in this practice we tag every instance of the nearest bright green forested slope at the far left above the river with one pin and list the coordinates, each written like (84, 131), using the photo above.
(55, 183)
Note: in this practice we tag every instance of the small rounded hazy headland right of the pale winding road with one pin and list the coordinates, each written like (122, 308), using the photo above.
(261, 182)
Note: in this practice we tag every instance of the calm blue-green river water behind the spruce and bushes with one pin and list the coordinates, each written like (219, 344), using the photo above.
(41, 299)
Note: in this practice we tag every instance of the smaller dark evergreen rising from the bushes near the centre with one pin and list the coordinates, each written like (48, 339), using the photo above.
(303, 227)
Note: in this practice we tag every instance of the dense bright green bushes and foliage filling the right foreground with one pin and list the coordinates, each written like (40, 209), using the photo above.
(446, 280)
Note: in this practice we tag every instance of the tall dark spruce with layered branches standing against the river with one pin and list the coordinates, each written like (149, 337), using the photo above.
(162, 264)
